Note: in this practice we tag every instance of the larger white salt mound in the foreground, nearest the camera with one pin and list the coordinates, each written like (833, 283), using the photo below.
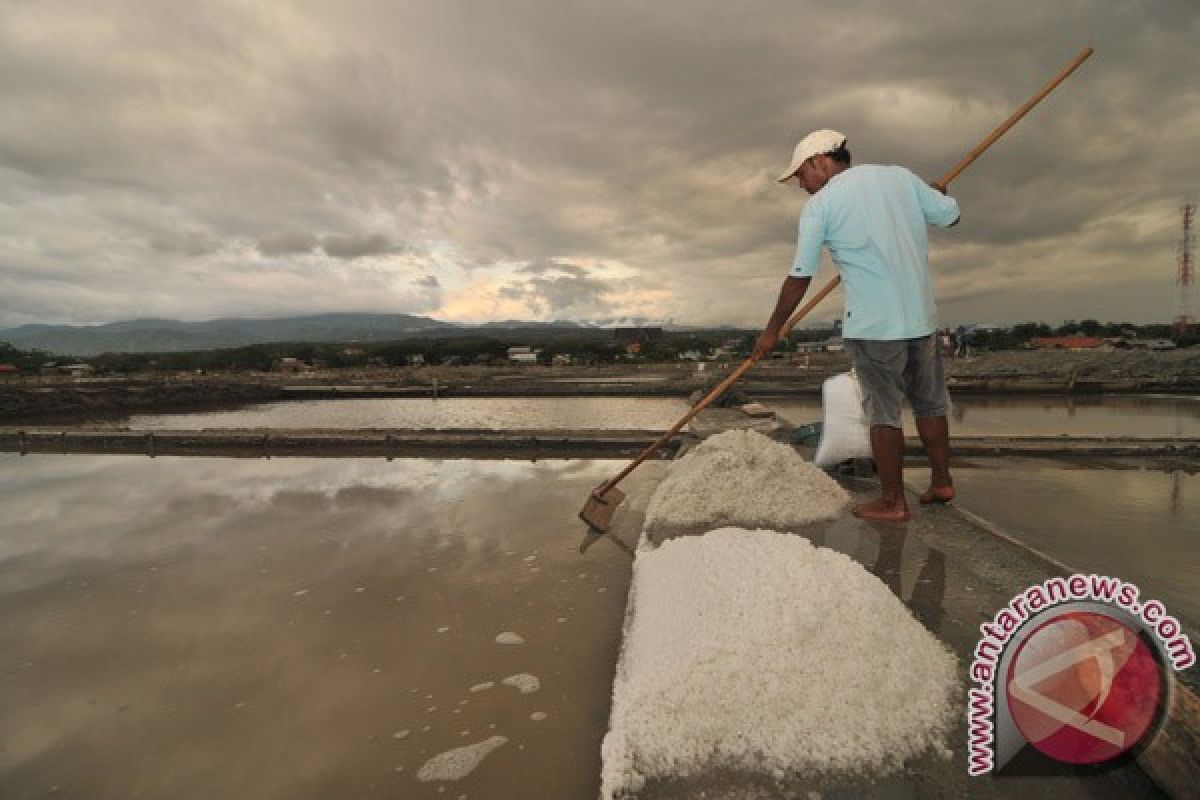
(757, 652)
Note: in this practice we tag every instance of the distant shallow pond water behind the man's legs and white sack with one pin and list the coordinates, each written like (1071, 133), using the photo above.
(1111, 416)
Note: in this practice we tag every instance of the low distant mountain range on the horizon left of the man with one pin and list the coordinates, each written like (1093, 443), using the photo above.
(173, 336)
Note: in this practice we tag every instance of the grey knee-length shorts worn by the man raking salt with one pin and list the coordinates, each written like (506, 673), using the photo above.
(891, 371)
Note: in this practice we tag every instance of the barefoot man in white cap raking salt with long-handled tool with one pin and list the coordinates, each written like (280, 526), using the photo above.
(873, 220)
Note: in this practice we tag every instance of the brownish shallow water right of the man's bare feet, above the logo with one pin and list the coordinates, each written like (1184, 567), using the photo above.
(1137, 525)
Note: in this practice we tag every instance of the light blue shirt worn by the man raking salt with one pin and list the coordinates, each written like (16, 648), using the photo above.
(873, 220)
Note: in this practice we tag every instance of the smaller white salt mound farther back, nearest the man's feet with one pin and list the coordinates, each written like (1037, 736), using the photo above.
(743, 478)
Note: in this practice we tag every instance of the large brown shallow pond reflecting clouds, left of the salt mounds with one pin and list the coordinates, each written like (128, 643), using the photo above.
(302, 628)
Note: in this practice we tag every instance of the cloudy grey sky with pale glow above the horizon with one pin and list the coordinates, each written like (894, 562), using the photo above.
(574, 160)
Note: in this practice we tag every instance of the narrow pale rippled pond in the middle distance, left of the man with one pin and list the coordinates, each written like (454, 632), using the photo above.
(497, 413)
